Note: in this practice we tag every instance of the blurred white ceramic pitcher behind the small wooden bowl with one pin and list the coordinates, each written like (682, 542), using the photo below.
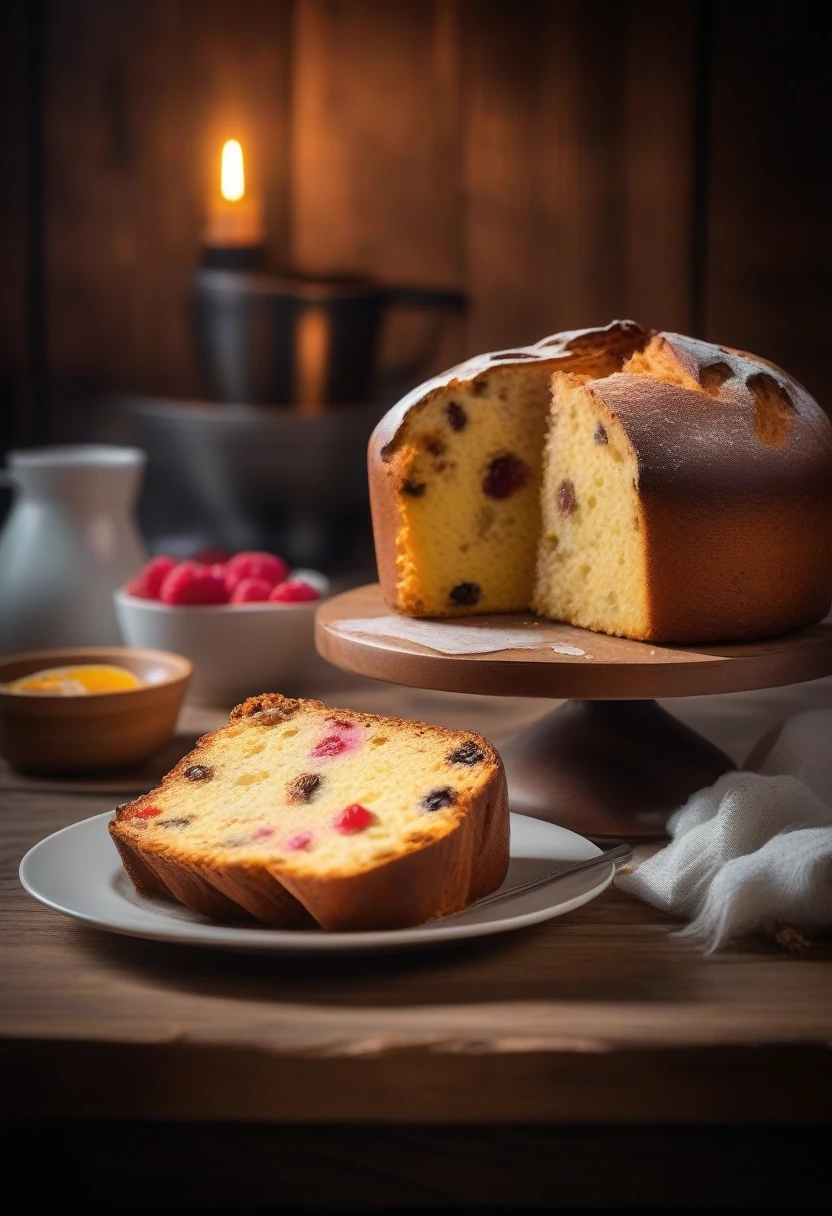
(70, 541)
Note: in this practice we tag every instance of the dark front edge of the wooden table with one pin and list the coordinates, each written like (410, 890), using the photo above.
(715, 1085)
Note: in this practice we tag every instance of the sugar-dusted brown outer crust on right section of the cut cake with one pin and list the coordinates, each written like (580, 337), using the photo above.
(735, 480)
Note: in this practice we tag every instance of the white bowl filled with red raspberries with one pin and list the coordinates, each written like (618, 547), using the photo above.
(246, 623)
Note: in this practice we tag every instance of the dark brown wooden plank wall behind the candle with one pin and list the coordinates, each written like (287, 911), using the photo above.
(564, 162)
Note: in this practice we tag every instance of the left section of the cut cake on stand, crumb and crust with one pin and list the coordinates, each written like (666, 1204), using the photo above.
(456, 474)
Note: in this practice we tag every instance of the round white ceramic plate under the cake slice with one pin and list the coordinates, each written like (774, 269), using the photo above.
(78, 872)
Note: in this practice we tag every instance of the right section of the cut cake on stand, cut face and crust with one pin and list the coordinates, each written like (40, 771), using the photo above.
(687, 499)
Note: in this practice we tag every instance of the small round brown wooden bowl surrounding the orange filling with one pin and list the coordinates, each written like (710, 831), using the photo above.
(44, 734)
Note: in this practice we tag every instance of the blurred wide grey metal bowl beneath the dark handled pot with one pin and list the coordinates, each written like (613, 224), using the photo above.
(254, 477)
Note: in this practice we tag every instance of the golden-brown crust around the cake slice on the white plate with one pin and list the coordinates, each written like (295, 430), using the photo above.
(445, 870)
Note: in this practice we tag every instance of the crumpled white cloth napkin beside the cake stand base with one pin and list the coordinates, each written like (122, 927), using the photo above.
(756, 848)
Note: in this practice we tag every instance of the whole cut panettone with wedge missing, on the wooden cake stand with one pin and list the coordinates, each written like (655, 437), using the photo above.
(683, 492)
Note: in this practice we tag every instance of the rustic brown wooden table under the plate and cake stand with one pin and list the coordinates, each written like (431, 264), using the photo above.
(597, 1029)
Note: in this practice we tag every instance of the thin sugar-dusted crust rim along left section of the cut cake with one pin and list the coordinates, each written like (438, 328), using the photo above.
(597, 352)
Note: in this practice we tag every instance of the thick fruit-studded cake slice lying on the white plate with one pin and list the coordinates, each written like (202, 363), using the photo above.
(302, 815)
